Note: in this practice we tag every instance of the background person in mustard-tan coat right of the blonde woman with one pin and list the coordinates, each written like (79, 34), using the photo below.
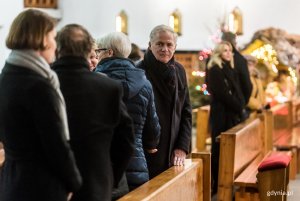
(257, 99)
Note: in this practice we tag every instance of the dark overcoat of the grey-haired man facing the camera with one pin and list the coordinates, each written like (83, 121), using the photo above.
(173, 109)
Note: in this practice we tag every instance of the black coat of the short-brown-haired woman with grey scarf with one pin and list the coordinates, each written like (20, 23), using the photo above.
(39, 164)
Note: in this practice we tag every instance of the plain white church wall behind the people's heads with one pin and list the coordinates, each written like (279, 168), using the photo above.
(200, 18)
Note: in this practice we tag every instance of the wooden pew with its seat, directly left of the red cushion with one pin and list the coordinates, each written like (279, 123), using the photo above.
(242, 149)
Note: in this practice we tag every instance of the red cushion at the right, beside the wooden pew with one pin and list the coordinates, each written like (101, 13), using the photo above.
(274, 161)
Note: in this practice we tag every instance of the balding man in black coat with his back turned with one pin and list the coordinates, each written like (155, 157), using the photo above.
(101, 131)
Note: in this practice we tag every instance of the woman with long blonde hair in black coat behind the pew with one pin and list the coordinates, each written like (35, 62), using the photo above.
(227, 100)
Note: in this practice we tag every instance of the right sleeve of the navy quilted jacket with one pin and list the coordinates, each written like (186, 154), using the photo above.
(151, 130)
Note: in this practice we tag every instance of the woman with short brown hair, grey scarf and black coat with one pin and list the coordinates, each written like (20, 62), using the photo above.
(39, 164)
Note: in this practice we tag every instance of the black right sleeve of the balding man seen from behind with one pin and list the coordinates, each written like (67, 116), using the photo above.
(123, 143)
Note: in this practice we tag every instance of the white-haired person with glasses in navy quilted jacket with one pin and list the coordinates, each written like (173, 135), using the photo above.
(139, 99)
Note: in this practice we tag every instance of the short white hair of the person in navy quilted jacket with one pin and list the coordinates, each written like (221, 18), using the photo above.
(118, 42)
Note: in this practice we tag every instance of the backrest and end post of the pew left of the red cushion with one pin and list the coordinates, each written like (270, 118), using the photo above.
(239, 146)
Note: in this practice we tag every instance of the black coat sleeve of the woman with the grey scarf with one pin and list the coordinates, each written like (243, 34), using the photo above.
(45, 109)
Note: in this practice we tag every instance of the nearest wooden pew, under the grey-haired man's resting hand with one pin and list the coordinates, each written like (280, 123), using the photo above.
(190, 182)
